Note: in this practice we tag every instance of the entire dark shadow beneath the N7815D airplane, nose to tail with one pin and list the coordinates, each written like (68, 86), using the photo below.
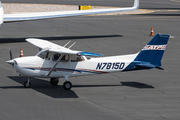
(57, 91)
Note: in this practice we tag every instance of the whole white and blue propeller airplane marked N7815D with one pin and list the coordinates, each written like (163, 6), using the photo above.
(55, 61)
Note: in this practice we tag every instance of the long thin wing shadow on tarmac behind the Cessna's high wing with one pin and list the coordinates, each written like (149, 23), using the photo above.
(12, 40)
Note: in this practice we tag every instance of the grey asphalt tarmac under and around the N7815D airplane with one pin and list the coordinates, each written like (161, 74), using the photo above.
(145, 94)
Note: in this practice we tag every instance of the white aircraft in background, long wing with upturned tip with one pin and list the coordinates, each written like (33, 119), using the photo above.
(58, 14)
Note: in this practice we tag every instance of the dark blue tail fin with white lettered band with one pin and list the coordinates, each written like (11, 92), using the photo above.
(151, 54)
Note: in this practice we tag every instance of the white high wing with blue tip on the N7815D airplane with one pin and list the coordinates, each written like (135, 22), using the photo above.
(44, 44)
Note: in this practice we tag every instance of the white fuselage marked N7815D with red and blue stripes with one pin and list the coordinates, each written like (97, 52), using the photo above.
(35, 66)
